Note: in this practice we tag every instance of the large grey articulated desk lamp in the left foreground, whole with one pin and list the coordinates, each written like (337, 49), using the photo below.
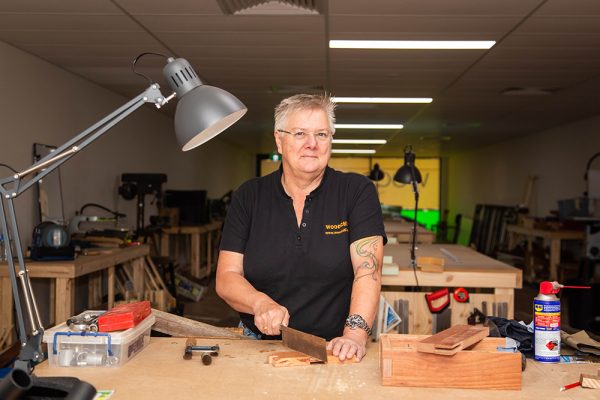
(202, 113)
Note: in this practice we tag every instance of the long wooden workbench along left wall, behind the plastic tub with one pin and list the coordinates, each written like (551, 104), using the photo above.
(63, 274)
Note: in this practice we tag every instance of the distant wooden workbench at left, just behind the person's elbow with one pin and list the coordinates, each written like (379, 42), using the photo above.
(200, 244)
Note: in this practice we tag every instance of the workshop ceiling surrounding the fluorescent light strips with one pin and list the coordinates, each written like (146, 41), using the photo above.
(550, 44)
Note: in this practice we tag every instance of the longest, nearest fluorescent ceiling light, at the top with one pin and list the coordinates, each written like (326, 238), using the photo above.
(412, 44)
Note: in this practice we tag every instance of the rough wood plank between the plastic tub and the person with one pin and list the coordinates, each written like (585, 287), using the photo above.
(177, 326)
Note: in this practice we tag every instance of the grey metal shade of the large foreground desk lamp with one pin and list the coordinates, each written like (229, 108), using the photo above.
(203, 111)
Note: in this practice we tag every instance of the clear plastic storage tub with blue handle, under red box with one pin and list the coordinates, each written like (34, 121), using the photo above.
(67, 348)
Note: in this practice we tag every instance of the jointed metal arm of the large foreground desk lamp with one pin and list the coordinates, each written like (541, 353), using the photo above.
(31, 352)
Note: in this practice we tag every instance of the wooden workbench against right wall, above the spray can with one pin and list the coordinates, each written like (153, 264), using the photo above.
(554, 236)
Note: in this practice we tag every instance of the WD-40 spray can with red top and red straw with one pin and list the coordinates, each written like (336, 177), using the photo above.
(546, 322)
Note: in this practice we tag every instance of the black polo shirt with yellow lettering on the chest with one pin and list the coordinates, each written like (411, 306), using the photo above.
(305, 268)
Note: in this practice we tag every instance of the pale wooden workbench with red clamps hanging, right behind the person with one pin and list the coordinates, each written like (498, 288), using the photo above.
(473, 271)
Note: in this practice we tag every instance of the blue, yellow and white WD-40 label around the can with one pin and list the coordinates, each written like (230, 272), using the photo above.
(546, 316)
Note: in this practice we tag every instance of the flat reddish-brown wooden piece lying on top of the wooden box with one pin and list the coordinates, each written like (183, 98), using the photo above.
(453, 340)
